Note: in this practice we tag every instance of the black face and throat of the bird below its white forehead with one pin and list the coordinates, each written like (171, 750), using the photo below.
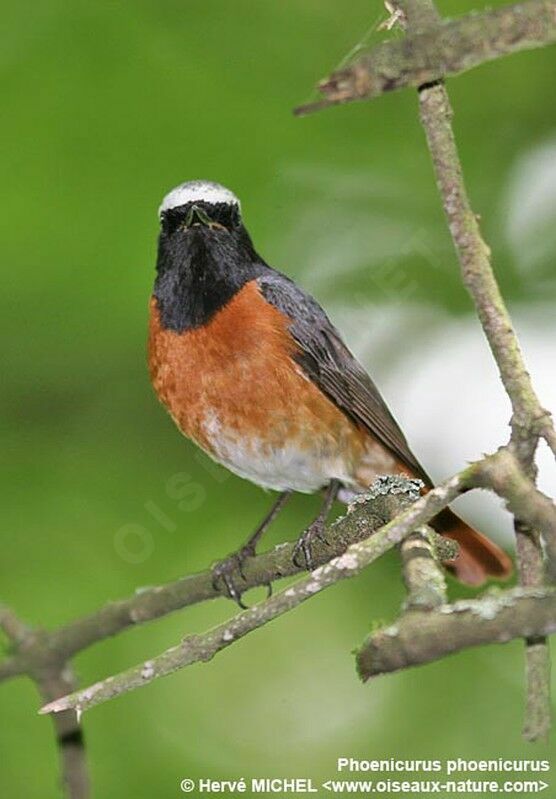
(200, 269)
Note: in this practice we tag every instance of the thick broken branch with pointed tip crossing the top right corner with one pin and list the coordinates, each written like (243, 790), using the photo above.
(452, 47)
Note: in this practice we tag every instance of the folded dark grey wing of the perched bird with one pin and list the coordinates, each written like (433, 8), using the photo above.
(327, 361)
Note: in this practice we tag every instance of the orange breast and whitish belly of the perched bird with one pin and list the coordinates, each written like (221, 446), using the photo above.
(234, 388)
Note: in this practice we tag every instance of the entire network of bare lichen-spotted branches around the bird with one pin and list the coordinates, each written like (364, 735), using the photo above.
(432, 50)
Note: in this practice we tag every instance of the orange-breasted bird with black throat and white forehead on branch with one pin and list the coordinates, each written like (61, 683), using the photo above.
(251, 369)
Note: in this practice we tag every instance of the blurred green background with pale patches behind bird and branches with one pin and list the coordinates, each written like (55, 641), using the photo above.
(106, 106)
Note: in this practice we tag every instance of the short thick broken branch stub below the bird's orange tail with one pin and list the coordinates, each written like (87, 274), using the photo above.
(423, 636)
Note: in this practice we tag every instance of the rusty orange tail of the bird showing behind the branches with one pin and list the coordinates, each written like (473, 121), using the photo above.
(479, 558)
